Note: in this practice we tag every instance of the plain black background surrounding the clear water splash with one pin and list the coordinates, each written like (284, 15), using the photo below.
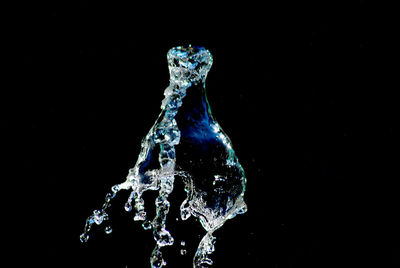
(301, 89)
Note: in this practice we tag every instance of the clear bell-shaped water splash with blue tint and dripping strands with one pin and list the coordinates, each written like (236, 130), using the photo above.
(185, 143)
